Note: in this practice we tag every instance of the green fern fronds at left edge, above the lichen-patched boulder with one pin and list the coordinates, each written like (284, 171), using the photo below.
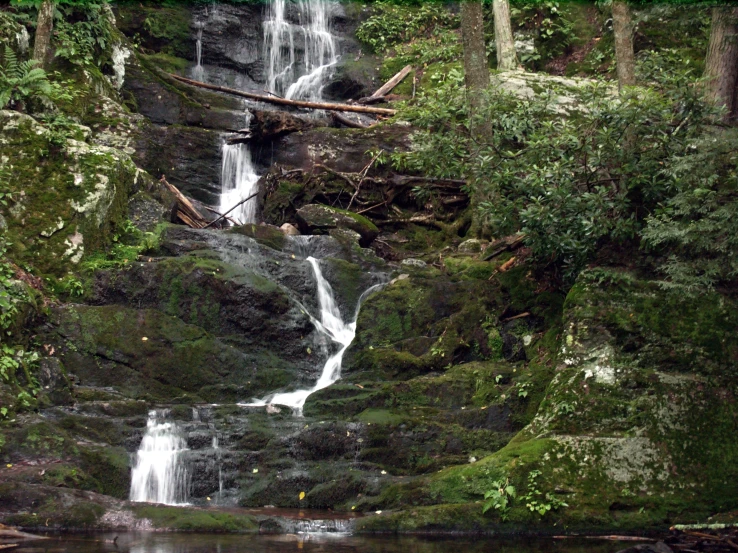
(22, 82)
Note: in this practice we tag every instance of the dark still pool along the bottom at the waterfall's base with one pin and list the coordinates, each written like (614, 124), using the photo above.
(334, 543)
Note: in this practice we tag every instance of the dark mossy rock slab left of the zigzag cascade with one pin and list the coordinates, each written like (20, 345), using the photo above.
(147, 354)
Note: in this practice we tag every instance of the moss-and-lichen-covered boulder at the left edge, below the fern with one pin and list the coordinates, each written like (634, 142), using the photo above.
(67, 196)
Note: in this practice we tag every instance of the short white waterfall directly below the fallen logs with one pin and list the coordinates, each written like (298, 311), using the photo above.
(238, 181)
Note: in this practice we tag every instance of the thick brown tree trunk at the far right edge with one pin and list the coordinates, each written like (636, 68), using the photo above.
(721, 65)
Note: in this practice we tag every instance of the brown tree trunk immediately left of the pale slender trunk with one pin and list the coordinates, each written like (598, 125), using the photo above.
(476, 68)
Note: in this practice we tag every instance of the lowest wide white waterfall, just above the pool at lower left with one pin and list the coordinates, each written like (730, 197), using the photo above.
(159, 475)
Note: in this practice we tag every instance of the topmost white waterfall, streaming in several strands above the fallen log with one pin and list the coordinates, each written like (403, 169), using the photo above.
(287, 74)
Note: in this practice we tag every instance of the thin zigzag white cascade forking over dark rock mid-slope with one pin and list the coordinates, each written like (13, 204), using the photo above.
(332, 326)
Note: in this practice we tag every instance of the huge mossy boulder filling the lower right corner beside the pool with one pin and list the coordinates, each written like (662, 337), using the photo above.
(634, 428)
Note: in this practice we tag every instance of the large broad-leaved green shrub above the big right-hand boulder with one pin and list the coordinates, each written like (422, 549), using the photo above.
(570, 183)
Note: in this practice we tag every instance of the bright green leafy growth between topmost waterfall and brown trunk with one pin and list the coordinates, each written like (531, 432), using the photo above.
(391, 24)
